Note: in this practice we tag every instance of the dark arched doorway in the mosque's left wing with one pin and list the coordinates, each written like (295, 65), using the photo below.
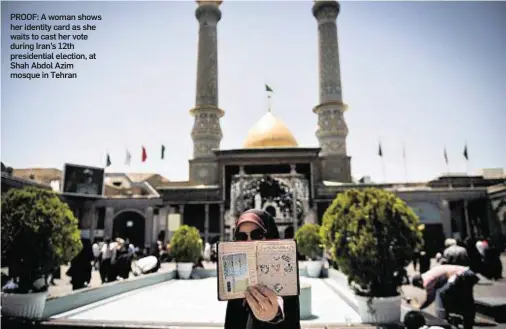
(130, 225)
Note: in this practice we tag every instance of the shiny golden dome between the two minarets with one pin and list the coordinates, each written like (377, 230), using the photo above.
(269, 131)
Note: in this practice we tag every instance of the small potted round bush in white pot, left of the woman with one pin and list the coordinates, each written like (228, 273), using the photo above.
(186, 247)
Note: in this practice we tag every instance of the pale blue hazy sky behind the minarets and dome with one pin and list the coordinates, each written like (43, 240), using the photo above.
(427, 75)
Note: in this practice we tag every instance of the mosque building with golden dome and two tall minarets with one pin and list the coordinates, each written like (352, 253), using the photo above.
(271, 172)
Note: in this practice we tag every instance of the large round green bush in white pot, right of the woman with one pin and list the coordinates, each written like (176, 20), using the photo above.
(372, 235)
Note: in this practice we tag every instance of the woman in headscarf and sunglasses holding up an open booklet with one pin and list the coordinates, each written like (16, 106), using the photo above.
(261, 309)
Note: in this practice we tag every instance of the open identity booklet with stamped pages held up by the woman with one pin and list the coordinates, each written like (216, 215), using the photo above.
(244, 264)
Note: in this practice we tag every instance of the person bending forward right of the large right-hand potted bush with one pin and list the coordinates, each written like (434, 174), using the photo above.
(451, 286)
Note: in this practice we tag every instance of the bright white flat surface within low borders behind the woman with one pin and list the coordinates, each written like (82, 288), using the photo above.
(194, 301)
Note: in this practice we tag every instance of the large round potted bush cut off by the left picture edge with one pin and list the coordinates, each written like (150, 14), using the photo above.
(39, 233)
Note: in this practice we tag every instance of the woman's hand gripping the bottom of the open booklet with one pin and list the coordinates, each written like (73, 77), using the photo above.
(263, 302)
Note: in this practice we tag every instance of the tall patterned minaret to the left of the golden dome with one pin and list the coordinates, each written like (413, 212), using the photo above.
(206, 132)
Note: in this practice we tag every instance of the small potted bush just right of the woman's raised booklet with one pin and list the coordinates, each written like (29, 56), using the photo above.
(310, 245)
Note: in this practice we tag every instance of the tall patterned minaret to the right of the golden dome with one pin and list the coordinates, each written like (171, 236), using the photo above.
(332, 129)
